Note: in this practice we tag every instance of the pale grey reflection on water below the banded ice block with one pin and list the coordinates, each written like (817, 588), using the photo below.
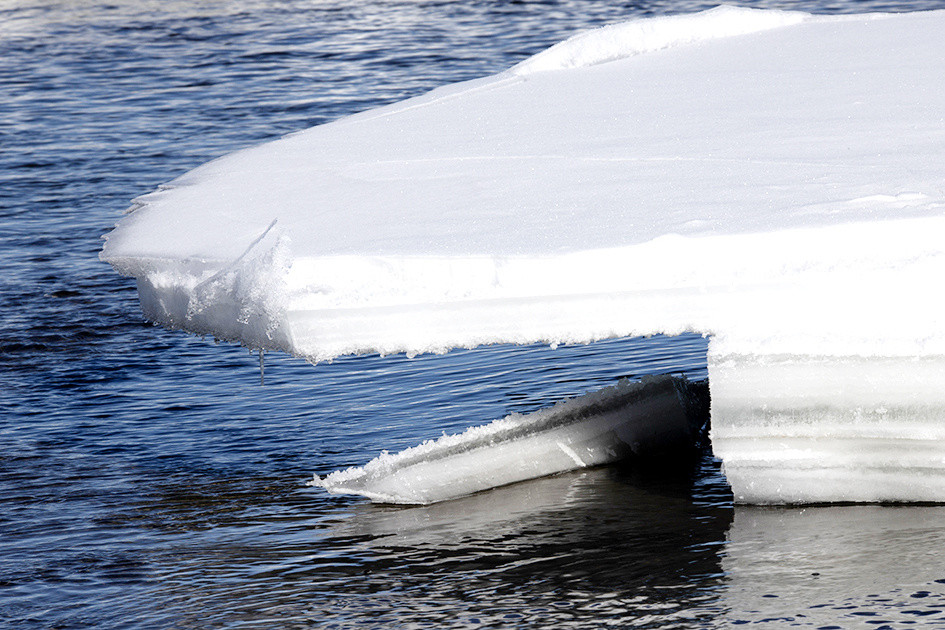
(832, 566)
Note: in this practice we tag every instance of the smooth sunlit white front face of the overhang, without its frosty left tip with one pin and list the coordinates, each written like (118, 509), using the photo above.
(822, 291)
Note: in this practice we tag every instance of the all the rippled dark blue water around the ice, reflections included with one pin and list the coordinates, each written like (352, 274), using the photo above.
(148, 480)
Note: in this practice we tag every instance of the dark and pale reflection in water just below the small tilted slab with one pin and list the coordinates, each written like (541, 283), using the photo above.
(592, 529)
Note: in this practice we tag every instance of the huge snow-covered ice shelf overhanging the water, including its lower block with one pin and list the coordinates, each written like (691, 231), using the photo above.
(771, 178)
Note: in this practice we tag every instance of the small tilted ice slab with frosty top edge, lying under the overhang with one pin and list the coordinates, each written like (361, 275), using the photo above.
(644, 419)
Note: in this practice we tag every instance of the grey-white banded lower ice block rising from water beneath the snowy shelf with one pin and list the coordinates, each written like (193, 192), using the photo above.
(802, 429)
